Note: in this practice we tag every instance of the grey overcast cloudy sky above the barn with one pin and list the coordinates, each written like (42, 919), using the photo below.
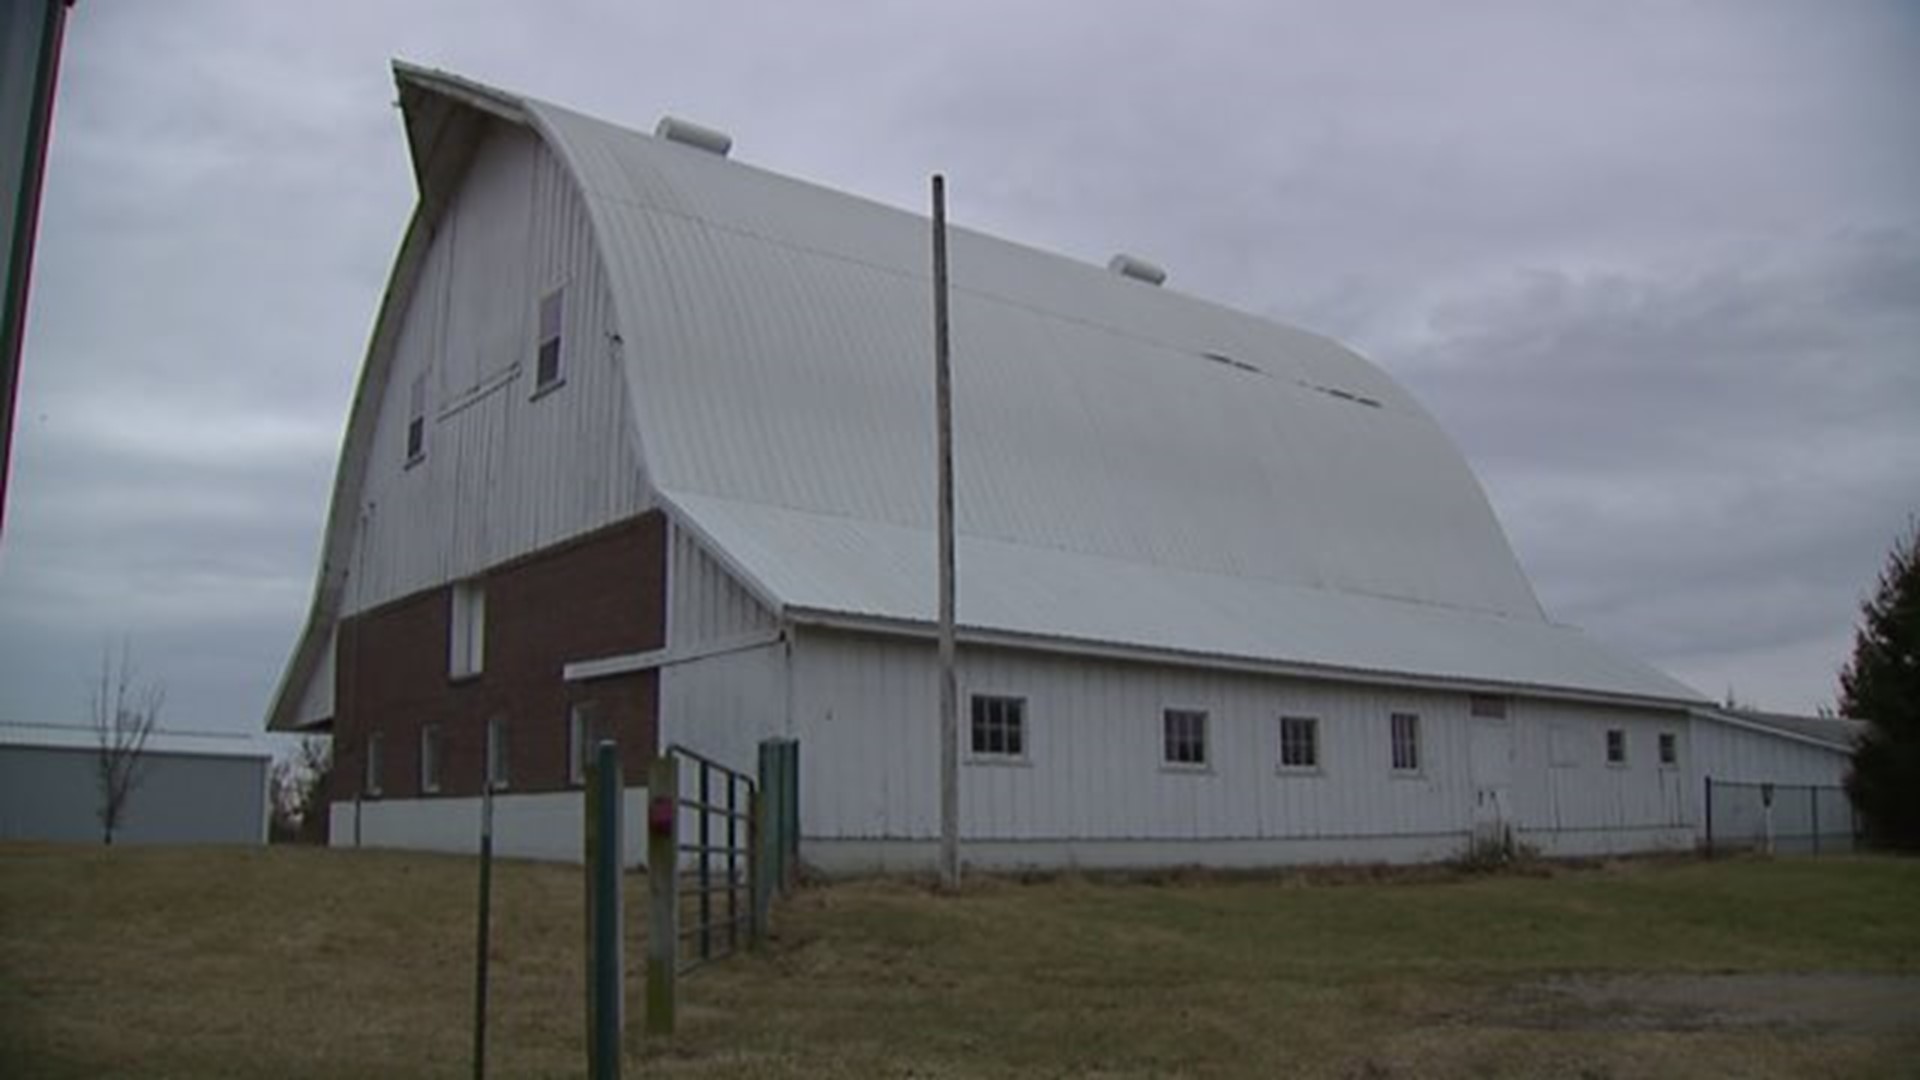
(1654, 266)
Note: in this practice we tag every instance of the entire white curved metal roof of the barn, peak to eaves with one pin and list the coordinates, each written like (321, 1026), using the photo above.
(1134, 466)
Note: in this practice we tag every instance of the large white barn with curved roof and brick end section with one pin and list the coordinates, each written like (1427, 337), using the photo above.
(644, 447)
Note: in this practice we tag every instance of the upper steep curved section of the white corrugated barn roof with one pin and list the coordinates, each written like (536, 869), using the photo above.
(782, 355)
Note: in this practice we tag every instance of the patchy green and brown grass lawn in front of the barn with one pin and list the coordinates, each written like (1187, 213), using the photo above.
(356, 964)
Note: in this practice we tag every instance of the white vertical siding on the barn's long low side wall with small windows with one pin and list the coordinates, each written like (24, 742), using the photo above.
(865, 712)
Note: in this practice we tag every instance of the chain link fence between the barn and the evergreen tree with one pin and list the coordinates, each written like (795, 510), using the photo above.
(1788, 820)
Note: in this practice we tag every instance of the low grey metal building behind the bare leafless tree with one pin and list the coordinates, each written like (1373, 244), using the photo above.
(193, 789)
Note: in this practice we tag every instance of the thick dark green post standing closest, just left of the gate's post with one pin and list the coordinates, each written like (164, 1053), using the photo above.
(604, 914)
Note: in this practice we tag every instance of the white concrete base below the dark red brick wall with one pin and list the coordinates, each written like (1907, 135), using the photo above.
(544, 825)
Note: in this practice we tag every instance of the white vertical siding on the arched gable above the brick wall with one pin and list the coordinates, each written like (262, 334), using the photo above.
(504, 472)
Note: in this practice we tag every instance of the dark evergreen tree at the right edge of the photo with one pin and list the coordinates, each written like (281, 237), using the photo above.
(1881, 685)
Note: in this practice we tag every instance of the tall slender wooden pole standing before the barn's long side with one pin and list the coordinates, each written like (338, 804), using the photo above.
(944, 410)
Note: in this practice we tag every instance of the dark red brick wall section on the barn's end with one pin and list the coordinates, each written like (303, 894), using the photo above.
(596, 597)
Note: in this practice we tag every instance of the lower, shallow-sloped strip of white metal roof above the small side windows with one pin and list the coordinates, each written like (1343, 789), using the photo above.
(871, 570)
